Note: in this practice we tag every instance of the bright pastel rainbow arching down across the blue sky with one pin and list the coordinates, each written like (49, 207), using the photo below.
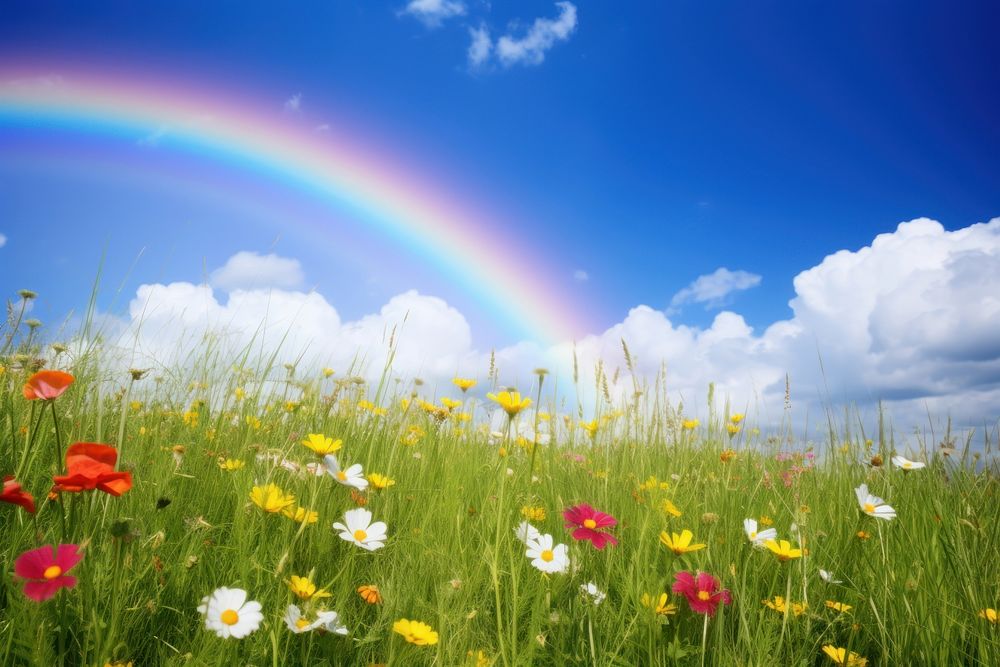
(466, 246)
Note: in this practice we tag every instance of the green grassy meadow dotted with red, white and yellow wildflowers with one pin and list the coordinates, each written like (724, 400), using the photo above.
(234, 513)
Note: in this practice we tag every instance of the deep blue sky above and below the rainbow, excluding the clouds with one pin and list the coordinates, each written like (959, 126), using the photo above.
(652, 144)
